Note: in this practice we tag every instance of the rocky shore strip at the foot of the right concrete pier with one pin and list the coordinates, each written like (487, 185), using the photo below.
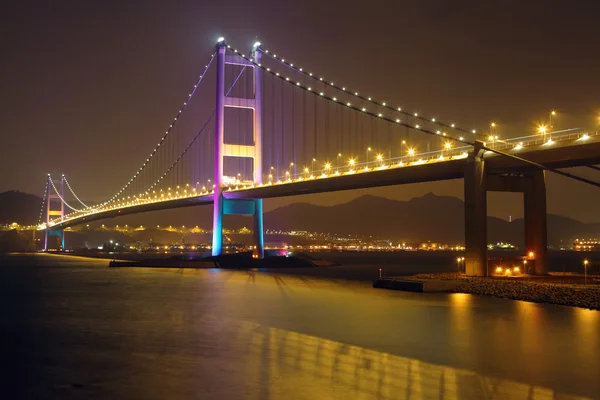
(538, 290)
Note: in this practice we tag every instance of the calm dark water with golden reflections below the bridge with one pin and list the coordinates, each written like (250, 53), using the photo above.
(73, 328)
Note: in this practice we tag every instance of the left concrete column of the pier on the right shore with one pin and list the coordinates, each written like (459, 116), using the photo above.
(476, 215)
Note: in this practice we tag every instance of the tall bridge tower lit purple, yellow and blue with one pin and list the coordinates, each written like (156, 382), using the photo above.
(223, 206)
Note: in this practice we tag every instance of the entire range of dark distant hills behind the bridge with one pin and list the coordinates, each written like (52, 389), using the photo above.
(430, 217)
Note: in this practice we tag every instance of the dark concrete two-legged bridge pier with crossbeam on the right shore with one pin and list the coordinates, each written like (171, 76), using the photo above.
(478, 181)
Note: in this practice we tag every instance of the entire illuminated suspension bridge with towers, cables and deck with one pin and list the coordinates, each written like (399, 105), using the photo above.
(275, 129)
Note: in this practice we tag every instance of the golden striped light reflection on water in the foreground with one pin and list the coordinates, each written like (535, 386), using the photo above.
(277, 356)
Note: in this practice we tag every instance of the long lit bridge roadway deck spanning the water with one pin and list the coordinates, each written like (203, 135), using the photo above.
(563, 154)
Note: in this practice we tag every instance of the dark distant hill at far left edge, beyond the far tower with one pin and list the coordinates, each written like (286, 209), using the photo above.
(19, 207)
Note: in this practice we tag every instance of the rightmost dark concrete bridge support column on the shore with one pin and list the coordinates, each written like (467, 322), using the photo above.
(536, 233)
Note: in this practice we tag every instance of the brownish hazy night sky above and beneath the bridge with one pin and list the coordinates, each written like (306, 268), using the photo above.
(89, 87)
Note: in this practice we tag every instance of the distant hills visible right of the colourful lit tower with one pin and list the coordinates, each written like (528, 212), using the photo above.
(430, 217)
